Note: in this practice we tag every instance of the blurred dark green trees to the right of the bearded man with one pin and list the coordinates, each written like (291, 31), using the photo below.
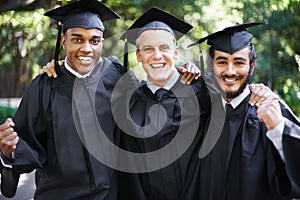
(279, 48)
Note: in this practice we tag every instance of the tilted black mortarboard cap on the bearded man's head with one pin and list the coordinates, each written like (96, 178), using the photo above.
(231, 39)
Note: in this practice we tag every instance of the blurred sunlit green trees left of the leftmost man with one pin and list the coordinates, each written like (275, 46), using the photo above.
(25, 45)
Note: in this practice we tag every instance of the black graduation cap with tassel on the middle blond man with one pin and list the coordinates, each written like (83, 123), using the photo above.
(154, 19)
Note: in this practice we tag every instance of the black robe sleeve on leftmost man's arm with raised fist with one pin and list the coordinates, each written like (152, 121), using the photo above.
(31, 126)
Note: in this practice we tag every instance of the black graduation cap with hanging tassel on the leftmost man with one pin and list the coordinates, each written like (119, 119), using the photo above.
(82, 13)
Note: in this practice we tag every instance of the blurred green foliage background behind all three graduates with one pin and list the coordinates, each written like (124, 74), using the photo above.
(28, 39)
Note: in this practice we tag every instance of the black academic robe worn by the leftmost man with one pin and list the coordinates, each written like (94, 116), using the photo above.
(49, 139)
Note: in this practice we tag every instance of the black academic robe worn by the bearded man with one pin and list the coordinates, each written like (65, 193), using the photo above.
(245, 165)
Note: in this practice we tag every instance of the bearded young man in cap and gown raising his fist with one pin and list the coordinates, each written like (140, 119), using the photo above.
(253, 157)
